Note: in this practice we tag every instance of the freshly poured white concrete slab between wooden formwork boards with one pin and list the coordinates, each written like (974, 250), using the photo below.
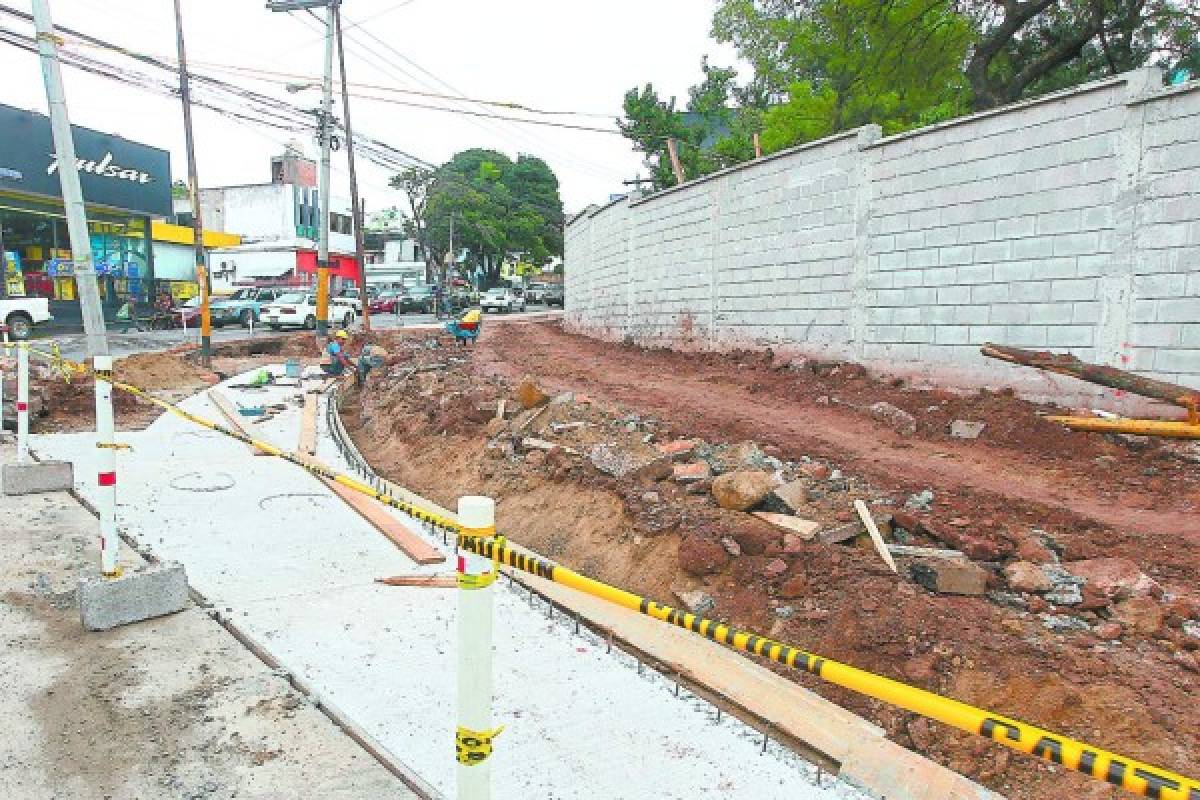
(295, 568)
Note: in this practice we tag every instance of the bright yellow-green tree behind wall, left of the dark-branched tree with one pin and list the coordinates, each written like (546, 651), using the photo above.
(848, 63)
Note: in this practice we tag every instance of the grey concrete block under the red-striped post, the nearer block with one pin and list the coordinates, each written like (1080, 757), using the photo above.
(153, 591)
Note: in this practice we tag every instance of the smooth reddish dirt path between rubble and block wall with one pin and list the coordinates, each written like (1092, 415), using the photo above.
(711, 396)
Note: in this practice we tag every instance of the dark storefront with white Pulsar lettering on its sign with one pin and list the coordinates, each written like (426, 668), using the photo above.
(125, 185)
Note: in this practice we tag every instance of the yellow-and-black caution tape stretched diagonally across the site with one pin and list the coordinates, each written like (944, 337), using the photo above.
(1095, 762)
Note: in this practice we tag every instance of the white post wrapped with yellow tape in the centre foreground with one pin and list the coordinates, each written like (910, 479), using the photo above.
(475, 735)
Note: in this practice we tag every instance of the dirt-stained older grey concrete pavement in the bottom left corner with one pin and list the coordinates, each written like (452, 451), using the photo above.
(169, 708)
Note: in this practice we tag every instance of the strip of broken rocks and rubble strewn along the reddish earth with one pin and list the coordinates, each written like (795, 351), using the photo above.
(789, 507)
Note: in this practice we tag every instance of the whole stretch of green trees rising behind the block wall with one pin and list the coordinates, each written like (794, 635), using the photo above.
(823, 67)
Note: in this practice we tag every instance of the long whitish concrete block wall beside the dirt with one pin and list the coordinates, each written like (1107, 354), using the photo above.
(1071, 222)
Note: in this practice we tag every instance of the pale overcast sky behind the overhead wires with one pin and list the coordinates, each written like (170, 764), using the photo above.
(547, 55)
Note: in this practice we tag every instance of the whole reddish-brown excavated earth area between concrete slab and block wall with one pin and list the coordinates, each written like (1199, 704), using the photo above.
(447, 423)
